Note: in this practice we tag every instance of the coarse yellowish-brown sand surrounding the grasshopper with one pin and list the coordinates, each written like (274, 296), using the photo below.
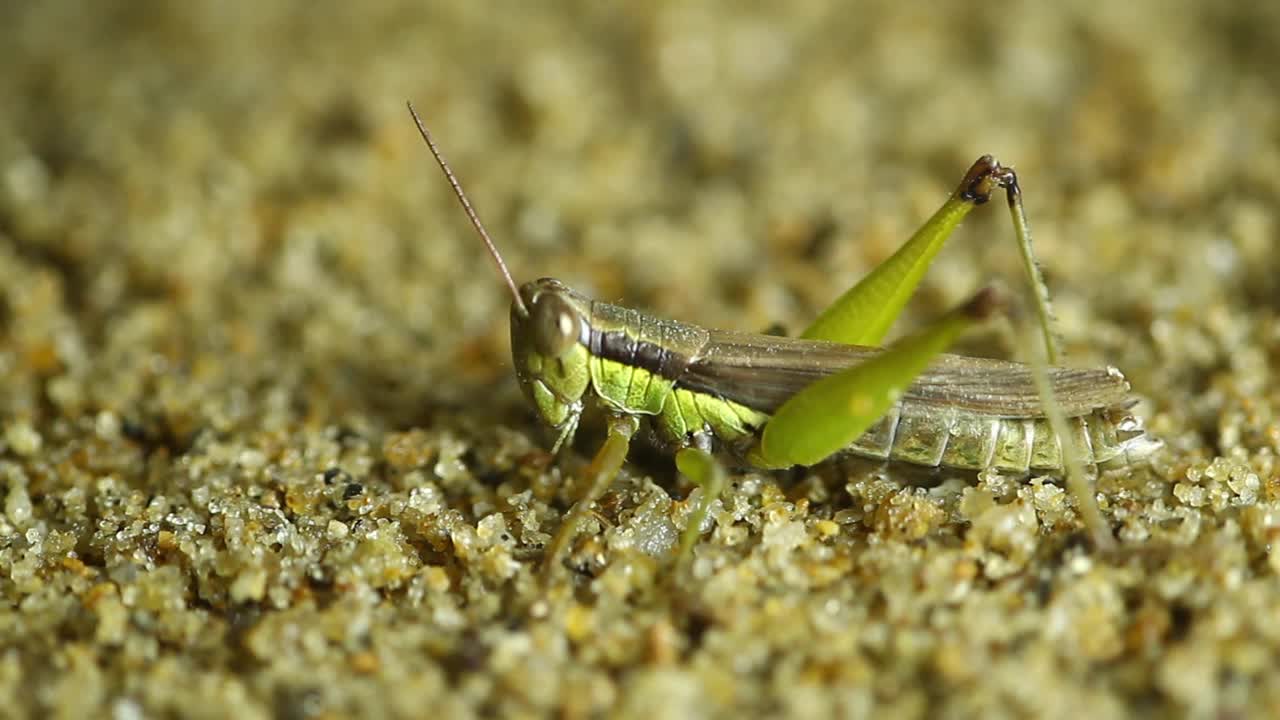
(263, 454)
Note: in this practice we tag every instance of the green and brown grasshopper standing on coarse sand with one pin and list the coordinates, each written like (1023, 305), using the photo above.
(775, 403)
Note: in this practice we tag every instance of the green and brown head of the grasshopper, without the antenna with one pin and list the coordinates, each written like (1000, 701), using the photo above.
(550, 348)
